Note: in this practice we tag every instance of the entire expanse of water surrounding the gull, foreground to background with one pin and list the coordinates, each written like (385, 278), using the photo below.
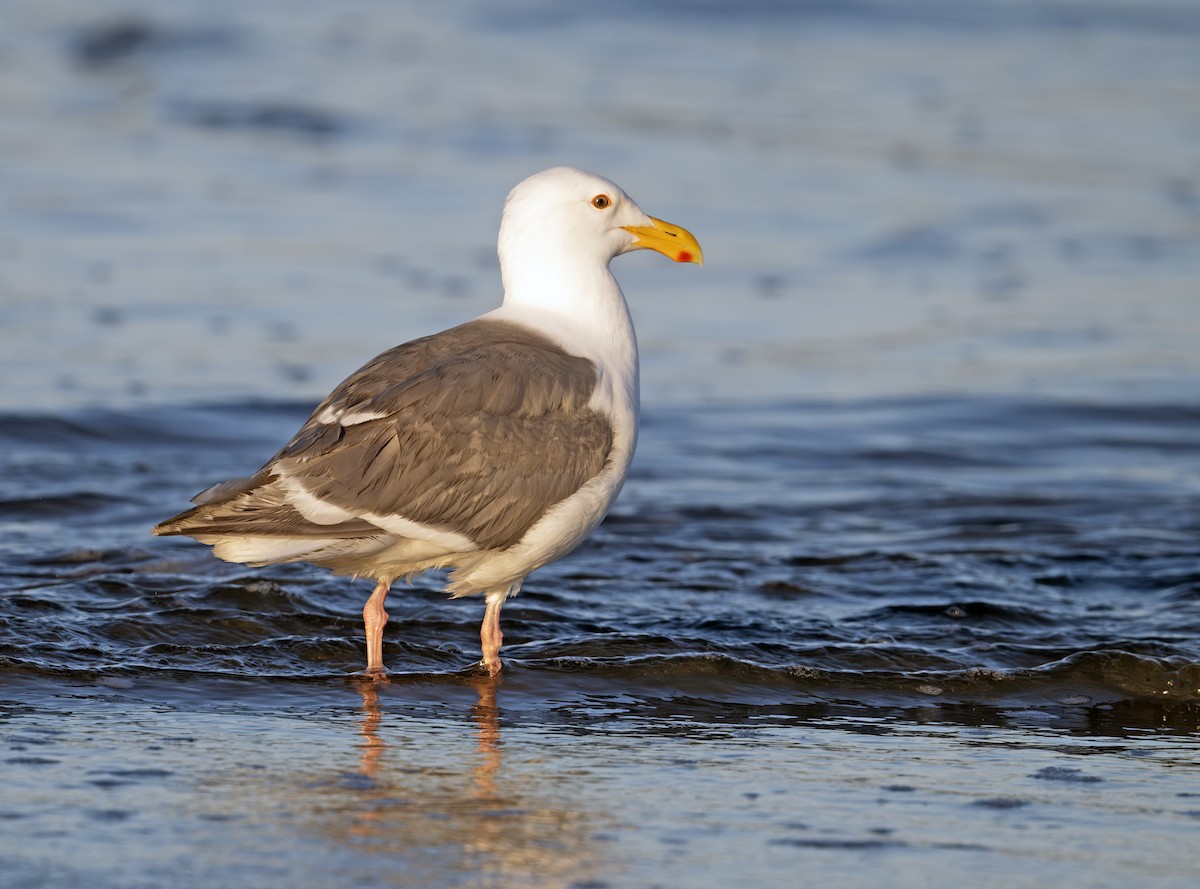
(904, 584)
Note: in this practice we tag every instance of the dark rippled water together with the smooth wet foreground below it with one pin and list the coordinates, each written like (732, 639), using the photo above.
(938, 636)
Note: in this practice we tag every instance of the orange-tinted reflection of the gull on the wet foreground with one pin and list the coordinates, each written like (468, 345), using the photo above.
(439, 810)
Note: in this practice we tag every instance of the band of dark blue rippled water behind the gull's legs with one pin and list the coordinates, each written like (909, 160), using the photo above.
(940, 548)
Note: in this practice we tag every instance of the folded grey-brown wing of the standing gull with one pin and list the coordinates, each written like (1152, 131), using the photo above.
(478, 430)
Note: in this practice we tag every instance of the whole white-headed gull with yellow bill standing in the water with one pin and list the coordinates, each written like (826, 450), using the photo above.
(493, 448)
